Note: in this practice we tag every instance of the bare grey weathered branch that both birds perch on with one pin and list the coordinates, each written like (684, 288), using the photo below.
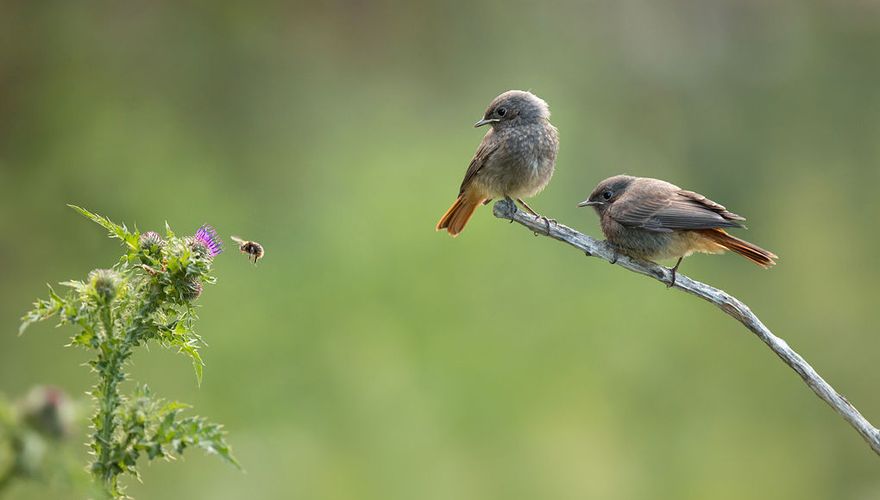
(731, 305)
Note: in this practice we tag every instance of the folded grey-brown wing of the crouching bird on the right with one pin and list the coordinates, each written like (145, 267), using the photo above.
(681, 211)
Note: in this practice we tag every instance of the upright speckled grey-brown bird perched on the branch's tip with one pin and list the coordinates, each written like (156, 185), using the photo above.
(515, 160)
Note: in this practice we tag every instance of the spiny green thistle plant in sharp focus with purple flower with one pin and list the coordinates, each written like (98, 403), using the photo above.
(148, 296)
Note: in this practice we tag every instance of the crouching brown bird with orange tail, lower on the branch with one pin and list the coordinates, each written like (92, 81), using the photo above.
(653, 219)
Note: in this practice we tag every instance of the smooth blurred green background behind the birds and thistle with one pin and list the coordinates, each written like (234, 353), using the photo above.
(368, 357)
